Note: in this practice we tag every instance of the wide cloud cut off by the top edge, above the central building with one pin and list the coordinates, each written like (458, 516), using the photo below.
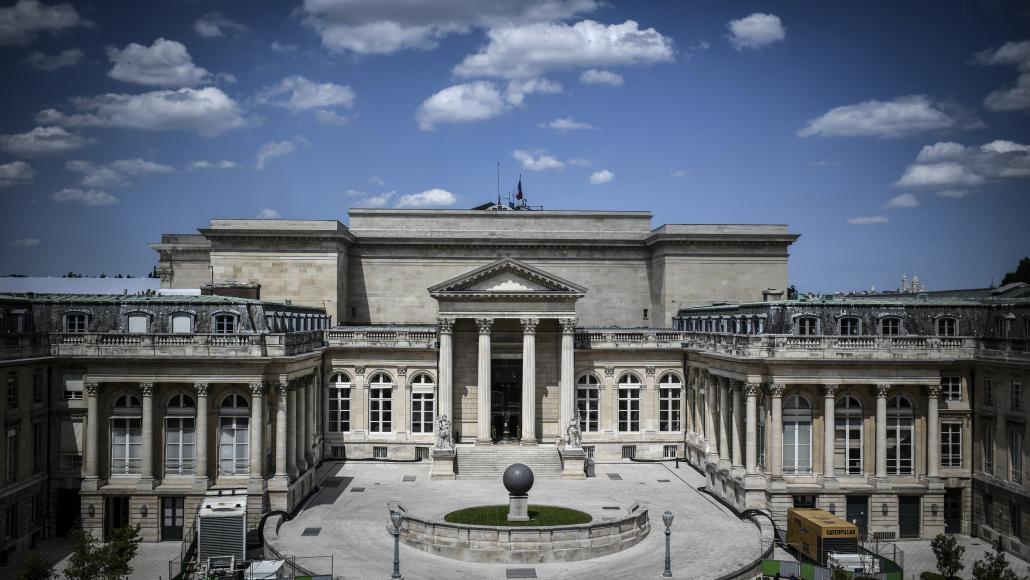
(388, 26)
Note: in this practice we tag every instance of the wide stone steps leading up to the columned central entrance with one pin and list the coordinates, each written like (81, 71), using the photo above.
(490, 462)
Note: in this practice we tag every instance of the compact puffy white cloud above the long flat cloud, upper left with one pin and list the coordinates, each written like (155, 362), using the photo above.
(166, 63)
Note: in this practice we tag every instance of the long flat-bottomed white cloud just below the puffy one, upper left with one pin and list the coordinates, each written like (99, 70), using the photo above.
(208, 111)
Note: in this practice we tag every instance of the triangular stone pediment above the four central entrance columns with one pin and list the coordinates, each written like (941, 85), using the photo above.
(507, 278)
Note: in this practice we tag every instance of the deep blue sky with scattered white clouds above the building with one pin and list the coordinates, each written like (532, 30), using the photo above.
(892, 137)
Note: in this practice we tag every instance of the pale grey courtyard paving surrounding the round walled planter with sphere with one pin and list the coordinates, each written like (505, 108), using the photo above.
(708, 540)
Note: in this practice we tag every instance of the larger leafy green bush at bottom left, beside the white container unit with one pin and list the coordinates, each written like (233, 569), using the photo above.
(90, 560)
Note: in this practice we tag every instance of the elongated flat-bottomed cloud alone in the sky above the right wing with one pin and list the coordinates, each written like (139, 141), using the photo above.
(904, 116)
